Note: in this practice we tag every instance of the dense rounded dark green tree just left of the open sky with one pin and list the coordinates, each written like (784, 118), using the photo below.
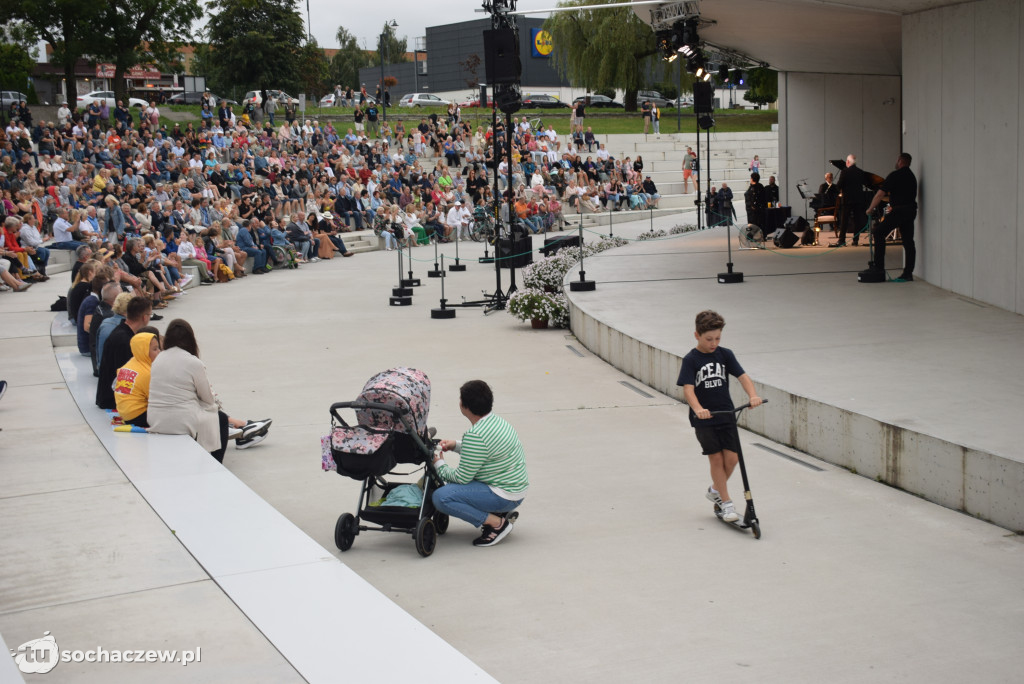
(257, 44)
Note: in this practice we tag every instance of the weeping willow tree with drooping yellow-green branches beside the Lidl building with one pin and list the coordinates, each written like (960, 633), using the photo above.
(603, 49)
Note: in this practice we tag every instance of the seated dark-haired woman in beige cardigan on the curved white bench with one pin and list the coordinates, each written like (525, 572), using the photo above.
(183, 402)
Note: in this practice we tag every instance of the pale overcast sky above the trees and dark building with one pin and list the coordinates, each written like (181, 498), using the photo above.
(413, 17)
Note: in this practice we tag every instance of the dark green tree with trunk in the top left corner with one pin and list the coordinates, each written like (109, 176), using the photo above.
(69, 26)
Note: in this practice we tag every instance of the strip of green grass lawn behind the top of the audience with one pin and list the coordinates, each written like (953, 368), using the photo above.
(727, 121)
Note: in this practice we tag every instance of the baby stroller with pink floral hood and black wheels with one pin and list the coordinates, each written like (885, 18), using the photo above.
(391, 429)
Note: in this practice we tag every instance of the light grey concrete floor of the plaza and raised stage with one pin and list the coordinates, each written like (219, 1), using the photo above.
(618, 571)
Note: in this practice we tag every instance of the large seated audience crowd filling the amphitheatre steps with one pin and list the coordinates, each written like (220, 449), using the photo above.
(148, 200)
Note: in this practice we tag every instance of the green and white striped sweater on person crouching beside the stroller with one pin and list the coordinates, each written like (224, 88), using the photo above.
(491, 453)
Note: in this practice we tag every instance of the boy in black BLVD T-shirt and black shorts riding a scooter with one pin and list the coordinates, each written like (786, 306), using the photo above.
(705, 379)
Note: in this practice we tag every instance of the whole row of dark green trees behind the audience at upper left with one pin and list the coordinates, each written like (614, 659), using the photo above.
(250, 45)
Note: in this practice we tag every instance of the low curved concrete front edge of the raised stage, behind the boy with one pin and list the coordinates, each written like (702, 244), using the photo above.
(977, 483)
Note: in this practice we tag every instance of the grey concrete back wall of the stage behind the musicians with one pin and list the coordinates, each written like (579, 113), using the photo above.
(830, 116)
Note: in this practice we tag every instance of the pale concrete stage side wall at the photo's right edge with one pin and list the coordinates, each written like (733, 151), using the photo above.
(964, 115)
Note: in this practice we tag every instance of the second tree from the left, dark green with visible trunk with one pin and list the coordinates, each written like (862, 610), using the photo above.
(138, 32)
